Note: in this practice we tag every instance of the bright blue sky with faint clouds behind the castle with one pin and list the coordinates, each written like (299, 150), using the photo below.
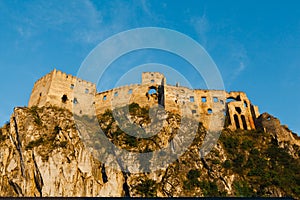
(255, 44)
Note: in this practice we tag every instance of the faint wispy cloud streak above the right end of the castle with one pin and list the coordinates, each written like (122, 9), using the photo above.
(232, 61)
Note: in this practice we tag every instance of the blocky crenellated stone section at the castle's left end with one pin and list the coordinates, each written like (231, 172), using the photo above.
(66, 91)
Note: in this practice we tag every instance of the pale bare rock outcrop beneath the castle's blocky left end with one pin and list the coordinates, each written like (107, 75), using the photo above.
(42, 155)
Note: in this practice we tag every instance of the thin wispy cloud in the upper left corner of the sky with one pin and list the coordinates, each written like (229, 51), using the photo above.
(79, 20)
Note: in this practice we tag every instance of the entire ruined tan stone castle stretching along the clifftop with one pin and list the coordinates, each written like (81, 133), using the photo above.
(208, 106)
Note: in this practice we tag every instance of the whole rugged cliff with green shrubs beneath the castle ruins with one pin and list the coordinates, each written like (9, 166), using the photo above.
(42, 154)
